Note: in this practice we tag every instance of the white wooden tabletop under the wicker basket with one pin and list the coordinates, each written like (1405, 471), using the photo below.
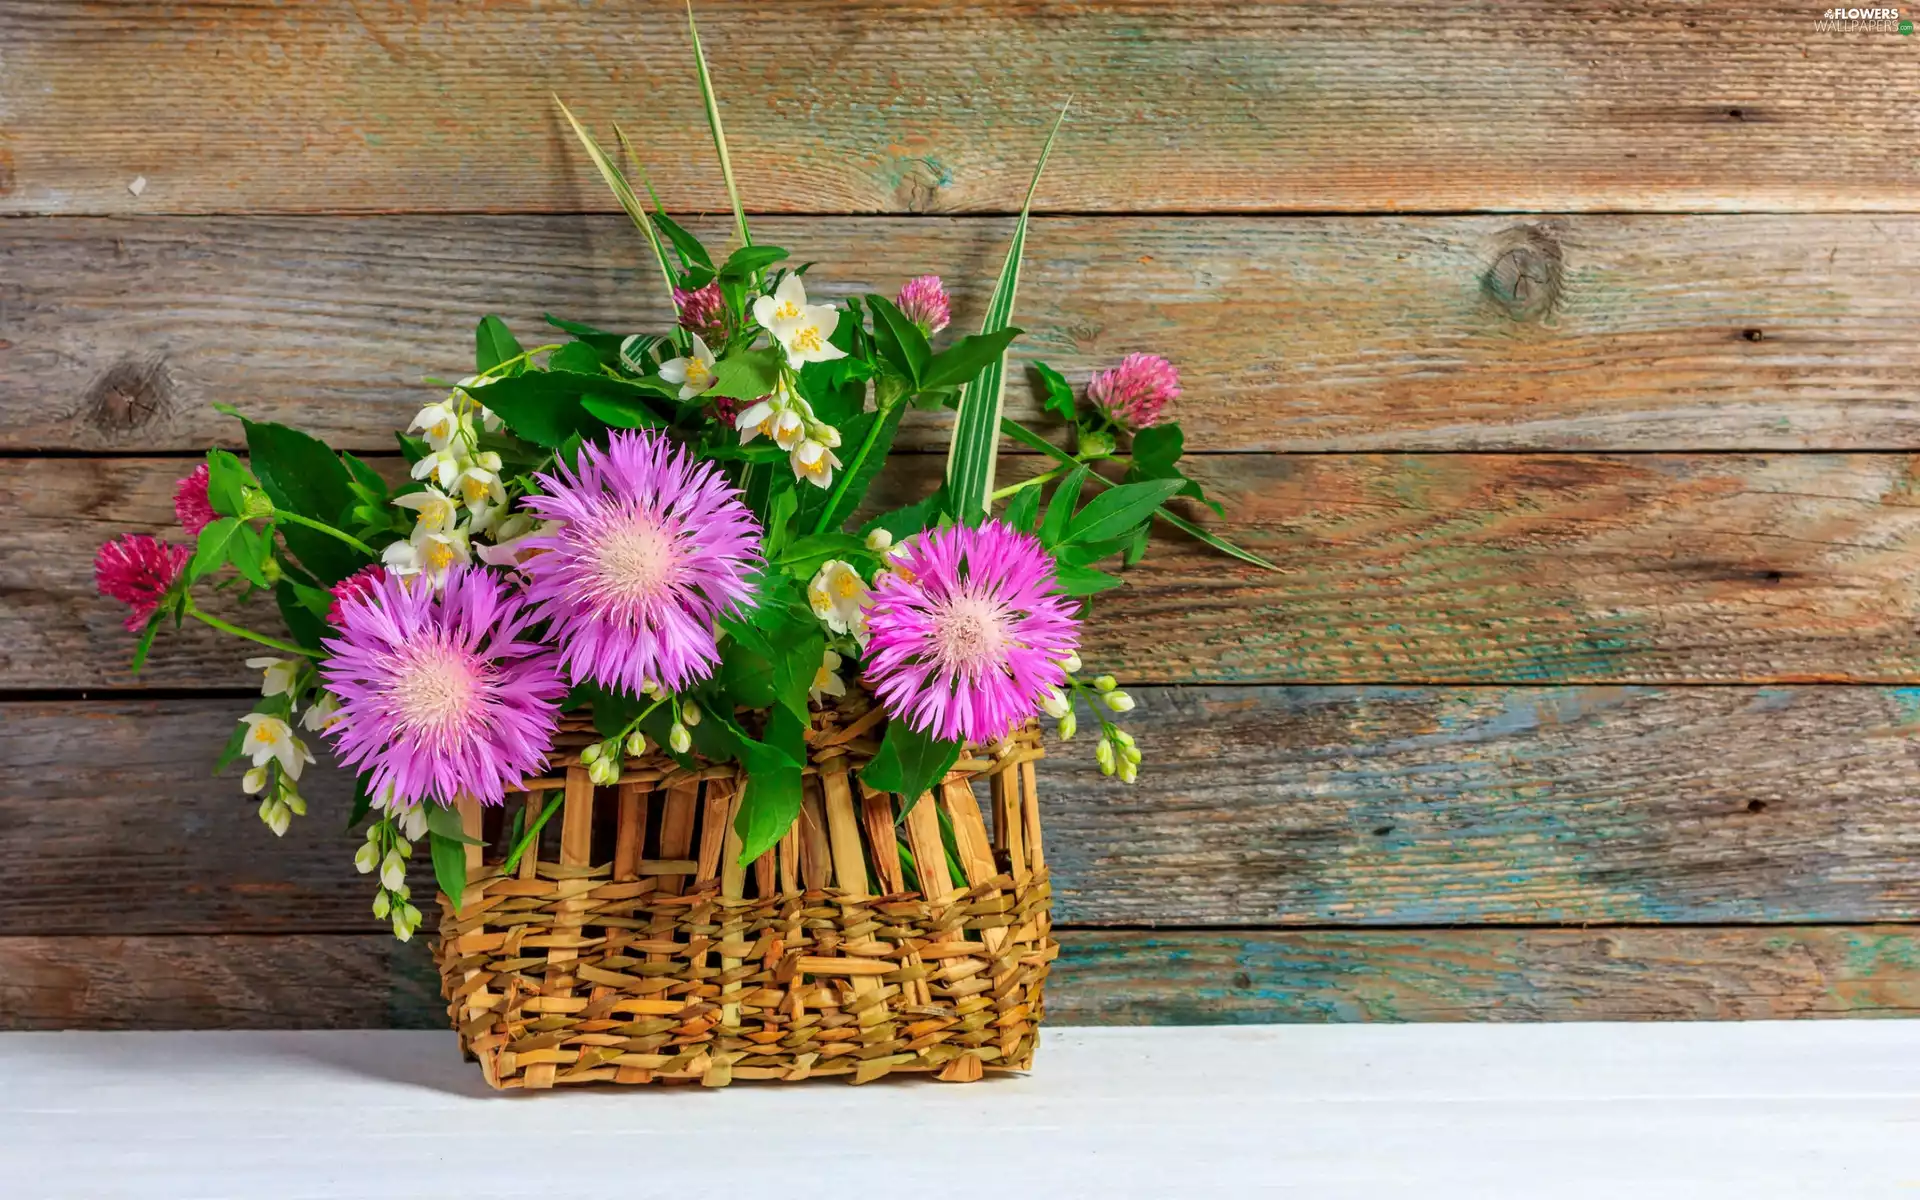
(1627, 1113)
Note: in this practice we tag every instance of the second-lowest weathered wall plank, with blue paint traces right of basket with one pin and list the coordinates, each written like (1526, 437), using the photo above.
(1257, 807)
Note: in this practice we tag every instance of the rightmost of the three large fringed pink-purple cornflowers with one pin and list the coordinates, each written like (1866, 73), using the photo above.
(969, 633)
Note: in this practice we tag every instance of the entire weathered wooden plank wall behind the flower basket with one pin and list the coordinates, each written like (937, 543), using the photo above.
(1562, 354)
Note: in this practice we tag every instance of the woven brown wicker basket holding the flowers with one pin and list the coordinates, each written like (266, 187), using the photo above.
(635, 949)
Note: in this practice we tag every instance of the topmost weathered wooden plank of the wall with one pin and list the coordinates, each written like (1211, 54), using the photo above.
(938, 107)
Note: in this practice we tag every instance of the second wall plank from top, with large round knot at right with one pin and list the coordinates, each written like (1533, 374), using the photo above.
(1343, 333)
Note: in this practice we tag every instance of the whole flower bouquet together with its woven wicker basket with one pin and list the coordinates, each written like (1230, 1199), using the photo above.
(633, 583)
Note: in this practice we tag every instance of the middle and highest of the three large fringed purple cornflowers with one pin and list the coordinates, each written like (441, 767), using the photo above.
(656, 546)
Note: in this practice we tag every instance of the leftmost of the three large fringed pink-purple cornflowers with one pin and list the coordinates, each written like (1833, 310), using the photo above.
(439, 692)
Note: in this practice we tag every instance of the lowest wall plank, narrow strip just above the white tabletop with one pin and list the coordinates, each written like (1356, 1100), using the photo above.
(1176, 978)
